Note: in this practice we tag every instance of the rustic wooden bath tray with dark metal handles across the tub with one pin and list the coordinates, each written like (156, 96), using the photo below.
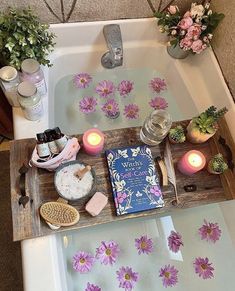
(40, 187)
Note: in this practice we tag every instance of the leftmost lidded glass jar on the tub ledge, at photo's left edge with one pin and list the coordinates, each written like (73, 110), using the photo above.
(9, 82)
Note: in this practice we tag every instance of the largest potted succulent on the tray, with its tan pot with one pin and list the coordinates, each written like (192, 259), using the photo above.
(204, 126)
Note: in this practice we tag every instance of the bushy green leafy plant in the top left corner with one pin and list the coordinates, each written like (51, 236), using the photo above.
(23, 36)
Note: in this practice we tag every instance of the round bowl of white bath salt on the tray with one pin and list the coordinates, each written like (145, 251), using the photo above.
(69, 186)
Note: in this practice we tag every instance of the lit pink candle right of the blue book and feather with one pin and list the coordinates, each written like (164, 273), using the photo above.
(192, 162)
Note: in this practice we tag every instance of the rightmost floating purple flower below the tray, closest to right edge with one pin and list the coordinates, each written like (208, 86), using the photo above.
(210, 231)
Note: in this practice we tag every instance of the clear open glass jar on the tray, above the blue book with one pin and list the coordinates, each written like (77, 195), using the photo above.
(155, 127)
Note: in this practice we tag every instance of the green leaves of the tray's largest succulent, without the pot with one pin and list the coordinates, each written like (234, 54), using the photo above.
(206, 122)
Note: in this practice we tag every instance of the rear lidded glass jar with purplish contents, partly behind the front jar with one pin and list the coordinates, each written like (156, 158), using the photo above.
(31, 71)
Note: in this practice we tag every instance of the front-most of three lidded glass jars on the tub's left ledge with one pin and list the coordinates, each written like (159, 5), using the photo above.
(30, 101)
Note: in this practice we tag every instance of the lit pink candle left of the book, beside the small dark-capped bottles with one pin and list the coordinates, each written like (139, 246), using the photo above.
(93, 141)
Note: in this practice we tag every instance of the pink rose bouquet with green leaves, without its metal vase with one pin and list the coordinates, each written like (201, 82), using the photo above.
(192, 31)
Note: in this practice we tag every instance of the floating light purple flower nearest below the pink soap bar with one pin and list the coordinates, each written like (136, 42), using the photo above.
(107, 252)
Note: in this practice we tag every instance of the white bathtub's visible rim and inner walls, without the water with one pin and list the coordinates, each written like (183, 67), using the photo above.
(79, 48)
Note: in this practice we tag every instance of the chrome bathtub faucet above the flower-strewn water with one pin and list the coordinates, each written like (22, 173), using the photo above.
(114, 56)
